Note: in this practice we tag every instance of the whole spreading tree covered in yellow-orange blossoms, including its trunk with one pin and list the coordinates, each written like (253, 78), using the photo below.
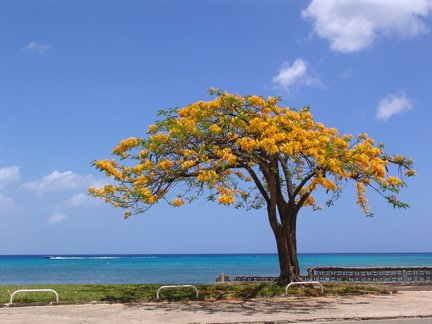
(246, 151)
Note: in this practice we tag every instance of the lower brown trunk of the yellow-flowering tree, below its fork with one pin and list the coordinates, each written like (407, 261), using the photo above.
(287, 252)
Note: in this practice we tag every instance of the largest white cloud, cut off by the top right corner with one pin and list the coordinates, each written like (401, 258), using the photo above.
(354, 25)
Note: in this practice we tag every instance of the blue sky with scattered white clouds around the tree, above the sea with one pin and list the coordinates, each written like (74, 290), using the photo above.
(76, 77)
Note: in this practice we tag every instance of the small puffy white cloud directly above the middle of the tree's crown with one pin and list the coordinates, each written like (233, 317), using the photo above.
(295, 75)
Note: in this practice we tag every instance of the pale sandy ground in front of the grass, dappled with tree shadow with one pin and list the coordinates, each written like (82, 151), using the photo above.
(262, 310)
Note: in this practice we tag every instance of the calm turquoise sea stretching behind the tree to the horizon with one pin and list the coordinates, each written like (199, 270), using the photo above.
(175, 269)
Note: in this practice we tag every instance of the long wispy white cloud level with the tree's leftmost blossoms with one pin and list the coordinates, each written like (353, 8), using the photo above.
(60, 181)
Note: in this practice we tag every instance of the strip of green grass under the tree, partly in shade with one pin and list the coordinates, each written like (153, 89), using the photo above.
(124, 293)
